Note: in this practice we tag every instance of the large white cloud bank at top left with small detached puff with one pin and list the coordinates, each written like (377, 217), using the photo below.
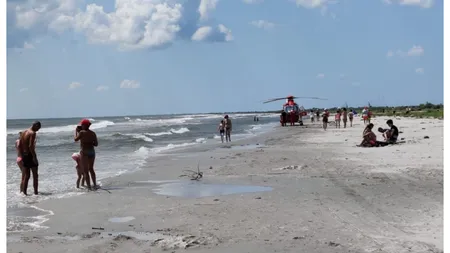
(131, 25)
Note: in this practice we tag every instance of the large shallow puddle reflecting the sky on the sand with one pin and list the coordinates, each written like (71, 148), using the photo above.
(198, 190)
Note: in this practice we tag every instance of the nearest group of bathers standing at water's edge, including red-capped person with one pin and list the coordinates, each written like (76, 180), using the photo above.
(28, 162)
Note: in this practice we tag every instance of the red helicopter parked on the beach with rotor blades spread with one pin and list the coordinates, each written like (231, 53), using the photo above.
(291, 111)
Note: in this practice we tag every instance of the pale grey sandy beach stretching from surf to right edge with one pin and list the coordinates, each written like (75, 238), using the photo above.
(328, 196)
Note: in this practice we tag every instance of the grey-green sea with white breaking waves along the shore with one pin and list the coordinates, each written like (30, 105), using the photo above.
(125, 143)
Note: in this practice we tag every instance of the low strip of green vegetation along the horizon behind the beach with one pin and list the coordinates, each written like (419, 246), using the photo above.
(426, 110)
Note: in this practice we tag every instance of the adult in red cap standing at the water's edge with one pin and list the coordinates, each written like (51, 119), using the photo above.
(88, 142)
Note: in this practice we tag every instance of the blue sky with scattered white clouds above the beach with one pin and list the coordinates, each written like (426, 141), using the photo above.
(75, 58)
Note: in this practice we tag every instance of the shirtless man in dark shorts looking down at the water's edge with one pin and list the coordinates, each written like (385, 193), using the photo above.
(27, 150)
